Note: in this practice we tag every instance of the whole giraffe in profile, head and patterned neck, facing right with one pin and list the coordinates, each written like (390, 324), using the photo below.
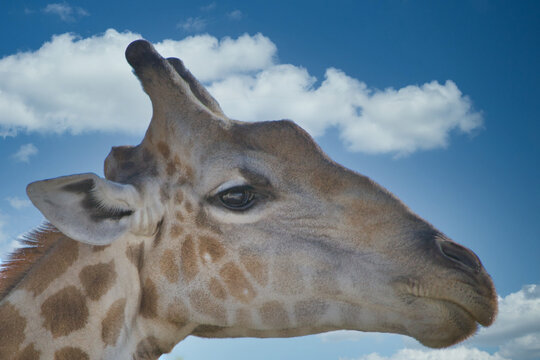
(219, 228)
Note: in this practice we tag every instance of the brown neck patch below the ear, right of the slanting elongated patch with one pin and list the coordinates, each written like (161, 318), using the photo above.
(97, 279)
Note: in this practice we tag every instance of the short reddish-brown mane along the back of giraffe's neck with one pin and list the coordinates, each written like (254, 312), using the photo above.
(35, 244)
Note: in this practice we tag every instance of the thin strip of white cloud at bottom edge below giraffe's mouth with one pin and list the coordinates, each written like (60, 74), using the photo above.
(456, 353)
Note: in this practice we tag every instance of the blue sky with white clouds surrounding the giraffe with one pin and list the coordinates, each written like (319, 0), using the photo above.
(452, 88)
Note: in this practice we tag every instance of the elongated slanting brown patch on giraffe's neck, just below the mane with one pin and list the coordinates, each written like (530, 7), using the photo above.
(60, 259)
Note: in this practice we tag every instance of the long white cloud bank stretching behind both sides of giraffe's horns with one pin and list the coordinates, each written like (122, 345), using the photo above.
(76, 84)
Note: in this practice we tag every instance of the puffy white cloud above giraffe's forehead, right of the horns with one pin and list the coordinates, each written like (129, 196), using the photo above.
(389, 121)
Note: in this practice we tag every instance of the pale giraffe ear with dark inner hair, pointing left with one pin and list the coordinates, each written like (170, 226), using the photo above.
(85, 207)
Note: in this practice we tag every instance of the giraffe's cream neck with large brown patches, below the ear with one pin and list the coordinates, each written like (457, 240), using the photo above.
(83, 302)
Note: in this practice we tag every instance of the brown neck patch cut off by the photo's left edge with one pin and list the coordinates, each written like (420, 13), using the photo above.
(12, 326)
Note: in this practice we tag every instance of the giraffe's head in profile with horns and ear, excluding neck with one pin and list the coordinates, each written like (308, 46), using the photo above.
(249, 229)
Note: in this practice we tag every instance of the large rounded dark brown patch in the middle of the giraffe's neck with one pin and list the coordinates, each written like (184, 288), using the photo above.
(65, 312)
